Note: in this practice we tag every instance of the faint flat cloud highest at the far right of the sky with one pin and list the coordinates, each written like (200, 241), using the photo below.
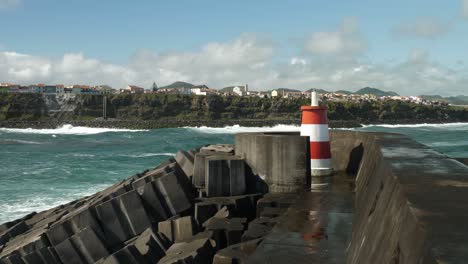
(424, 27)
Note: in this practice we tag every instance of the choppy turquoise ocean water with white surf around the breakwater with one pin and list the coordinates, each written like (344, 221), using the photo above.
(41, 169)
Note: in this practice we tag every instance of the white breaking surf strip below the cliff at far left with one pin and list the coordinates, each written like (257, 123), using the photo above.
(67, 130)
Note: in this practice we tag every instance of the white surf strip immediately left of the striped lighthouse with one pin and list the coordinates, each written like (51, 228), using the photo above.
(240, 129)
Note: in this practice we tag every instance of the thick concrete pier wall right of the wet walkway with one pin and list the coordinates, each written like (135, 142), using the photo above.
(410, 204)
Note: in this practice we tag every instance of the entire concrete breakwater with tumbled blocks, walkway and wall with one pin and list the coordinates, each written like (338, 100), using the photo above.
(392, 200)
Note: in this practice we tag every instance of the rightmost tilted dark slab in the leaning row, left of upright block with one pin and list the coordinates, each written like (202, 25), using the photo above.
(173, 194)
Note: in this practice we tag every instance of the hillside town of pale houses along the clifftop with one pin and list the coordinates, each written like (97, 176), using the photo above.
(183, 88)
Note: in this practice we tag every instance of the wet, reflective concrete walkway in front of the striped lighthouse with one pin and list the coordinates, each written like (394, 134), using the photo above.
(315, 229)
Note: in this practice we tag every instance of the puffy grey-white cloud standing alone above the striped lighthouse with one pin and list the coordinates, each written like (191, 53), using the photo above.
(346, 41)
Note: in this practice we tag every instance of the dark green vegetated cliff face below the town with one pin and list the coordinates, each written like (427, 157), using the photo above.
(173, 107)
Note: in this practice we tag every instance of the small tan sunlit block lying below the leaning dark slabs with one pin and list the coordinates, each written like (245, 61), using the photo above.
(179, 229)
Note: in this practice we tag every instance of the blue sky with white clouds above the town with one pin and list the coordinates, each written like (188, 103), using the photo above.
(412, 47)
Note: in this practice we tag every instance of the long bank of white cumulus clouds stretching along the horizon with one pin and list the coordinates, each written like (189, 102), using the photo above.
(247, 59)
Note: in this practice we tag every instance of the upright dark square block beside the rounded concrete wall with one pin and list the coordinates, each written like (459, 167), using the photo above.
(224, 176)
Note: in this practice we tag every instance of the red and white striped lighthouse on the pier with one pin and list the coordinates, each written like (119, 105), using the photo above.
(314, 124)
